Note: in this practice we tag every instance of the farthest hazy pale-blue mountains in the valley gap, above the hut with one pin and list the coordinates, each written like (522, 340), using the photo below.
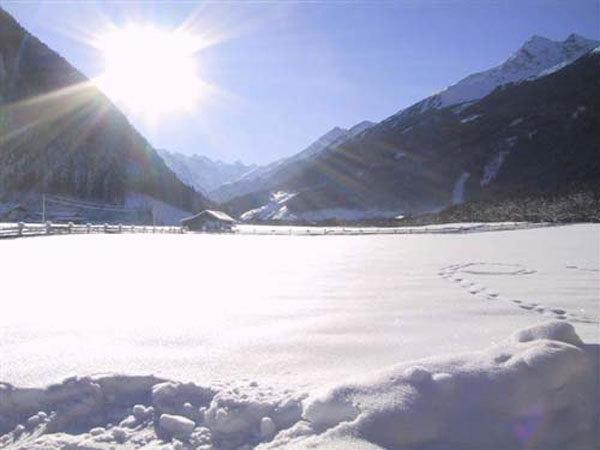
(202, 173)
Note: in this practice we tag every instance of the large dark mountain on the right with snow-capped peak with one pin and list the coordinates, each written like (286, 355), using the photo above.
(536, 136)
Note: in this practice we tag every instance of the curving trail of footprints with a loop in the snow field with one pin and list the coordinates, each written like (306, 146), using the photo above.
(454, 273)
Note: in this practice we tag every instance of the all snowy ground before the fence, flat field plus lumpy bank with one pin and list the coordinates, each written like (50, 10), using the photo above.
(303, 341)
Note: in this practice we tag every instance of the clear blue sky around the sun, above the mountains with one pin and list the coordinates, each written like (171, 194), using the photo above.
(293, 70)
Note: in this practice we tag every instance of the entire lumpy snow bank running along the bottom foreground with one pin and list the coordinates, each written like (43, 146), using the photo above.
(536, 390)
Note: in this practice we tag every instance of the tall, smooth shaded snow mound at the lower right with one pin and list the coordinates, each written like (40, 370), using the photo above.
(536, 390)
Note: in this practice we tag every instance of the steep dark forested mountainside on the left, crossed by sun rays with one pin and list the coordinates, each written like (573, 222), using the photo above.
(62, 136)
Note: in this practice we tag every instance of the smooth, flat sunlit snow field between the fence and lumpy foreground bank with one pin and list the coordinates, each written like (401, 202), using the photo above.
(208, 308)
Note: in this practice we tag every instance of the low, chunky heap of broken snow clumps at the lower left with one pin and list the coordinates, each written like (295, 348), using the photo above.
(143, 412)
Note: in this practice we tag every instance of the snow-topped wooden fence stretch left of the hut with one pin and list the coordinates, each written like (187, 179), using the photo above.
(39, 229)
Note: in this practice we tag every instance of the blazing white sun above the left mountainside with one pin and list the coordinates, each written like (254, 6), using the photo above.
(150, 71)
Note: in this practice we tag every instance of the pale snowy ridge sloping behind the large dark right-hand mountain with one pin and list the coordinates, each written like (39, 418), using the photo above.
(263, 177)
